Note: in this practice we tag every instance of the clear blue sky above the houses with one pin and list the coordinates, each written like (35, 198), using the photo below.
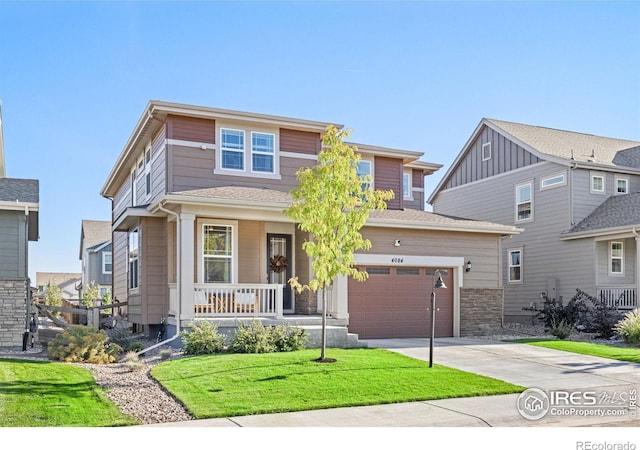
(76, 76)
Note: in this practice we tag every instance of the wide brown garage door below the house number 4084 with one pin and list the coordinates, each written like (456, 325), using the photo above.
(393, 302)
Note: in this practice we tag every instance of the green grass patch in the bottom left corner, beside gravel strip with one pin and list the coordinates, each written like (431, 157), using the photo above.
(47, 394)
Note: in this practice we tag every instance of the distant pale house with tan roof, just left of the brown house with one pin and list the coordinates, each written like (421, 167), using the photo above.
(96, 255)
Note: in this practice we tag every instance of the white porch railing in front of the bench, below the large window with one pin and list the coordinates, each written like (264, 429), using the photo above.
(237, 300)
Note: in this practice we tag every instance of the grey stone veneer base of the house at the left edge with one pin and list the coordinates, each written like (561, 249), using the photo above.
(13, 312)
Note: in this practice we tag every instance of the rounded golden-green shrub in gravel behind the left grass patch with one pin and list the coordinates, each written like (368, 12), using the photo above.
(80, 343)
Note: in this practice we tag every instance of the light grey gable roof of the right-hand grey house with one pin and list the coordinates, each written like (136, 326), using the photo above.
(555, 145)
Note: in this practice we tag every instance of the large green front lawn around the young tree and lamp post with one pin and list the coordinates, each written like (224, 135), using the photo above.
(227, 385)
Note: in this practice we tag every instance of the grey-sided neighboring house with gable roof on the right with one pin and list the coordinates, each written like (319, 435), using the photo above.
(576, 195)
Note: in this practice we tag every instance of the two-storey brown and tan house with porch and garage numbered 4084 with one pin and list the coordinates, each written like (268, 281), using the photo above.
(199, 232)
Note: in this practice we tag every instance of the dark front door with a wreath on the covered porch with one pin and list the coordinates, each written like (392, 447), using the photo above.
(279, 268)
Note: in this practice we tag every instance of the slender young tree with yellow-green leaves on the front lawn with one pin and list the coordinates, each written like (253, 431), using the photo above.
(332, 203)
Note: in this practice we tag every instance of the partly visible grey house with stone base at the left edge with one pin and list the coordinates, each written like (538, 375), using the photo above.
(19, 204)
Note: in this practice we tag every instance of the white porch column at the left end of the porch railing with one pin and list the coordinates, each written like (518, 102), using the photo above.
(187, 271)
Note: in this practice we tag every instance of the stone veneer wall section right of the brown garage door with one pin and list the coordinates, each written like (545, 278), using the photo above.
(480, 311)
